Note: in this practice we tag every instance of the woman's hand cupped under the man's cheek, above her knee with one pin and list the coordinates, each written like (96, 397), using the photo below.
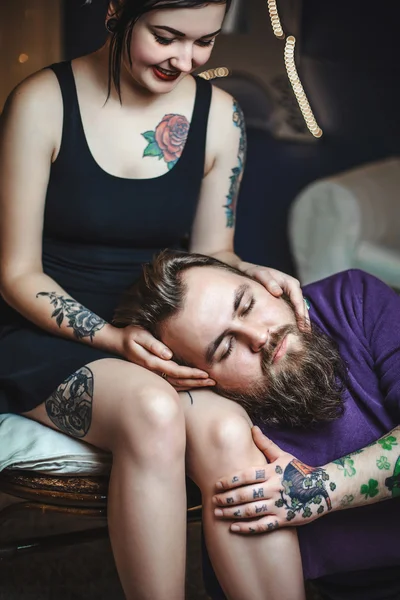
(140, 347)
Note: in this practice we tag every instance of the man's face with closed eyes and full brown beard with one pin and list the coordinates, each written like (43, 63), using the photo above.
(250, 344)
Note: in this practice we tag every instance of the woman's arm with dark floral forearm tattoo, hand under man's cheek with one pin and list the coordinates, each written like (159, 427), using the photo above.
(30, 135)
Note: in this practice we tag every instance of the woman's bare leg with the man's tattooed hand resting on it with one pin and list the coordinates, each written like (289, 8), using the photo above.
(264, 567)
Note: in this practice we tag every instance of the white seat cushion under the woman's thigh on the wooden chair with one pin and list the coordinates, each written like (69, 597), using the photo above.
(26, 444)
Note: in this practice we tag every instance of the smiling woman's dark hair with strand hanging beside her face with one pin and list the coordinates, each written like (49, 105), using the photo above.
(127, 12)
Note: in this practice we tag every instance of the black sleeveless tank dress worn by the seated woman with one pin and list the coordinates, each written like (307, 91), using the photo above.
(98, 230)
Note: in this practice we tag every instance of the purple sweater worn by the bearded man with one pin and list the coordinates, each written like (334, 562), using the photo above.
(363, 315)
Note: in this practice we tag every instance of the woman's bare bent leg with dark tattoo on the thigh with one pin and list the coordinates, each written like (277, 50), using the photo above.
(139, 418)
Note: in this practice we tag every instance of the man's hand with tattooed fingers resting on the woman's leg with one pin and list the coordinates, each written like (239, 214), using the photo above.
(284, 492)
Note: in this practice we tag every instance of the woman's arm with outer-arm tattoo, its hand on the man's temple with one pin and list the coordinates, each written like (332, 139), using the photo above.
(214, 226)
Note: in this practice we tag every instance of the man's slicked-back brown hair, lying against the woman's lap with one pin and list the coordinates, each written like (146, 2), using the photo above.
(160, 291)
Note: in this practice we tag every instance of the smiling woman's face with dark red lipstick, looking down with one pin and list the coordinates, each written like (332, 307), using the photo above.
(169, 44)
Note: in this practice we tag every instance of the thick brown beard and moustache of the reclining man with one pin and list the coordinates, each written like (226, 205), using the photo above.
(304, 390)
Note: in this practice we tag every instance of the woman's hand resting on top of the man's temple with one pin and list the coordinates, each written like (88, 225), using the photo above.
(278, 283)
